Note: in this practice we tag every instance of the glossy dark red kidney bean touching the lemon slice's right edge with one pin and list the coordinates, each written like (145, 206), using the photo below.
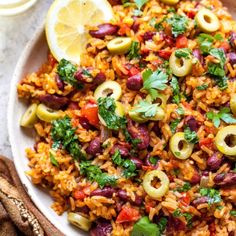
(103, 30)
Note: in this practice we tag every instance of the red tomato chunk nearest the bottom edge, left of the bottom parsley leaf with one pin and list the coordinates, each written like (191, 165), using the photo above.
(128, 214)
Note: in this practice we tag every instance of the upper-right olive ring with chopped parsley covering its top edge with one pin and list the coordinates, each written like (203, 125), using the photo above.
(180, 66)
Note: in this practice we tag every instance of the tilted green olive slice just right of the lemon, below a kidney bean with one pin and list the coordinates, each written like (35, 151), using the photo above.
(120, 45)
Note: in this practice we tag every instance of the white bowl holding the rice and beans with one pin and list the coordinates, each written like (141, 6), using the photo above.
(31, 59)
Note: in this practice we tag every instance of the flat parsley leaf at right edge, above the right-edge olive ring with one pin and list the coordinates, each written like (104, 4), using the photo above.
(223, 114)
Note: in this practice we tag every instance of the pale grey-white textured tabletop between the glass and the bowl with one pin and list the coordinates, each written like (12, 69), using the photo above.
(15, 32)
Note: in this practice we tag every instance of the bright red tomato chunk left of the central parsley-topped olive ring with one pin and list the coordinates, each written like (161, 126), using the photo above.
(90, 111)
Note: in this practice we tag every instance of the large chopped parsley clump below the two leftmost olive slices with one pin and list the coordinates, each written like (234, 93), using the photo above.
(63, 133)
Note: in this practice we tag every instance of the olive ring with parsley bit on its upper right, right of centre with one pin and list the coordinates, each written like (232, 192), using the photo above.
(180, 147)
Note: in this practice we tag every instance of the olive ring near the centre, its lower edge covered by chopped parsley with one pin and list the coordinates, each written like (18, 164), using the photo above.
(108, 88)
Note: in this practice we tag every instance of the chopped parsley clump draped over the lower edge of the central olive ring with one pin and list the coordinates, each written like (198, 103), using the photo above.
(106, 109)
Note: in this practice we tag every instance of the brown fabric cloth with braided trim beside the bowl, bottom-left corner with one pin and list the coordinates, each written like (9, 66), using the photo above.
(18, 215)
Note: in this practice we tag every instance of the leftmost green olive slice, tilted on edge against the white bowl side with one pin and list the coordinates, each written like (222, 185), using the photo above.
(29, 118)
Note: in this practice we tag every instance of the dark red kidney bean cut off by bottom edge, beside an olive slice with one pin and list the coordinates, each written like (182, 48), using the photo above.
(102, 228)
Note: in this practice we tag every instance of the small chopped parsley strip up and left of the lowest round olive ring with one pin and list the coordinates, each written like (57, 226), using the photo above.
(127, 164)
